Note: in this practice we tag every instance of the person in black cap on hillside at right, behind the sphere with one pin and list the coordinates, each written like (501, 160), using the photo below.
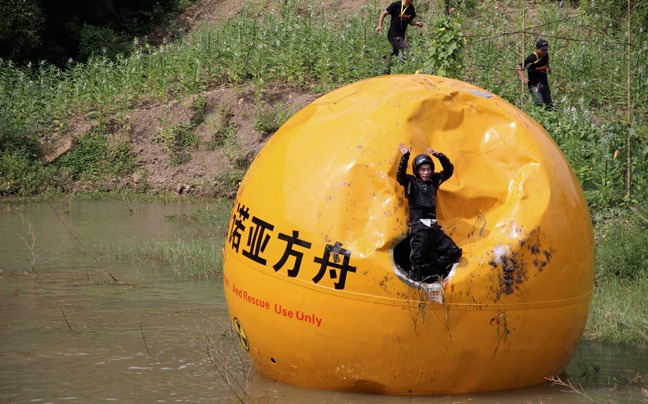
(537, 65)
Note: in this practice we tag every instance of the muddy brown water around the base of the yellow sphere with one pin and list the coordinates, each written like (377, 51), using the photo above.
(139, 341)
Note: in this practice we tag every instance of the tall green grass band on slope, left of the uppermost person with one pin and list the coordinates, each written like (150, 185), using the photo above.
(295, 43)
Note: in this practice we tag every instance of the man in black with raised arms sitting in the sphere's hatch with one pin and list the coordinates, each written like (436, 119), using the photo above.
(432, 251)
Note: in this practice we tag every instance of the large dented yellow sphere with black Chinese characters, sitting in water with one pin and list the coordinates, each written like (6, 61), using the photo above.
(314, 261)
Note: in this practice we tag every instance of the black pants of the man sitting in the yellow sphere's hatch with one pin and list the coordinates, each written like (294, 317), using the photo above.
(432, 252)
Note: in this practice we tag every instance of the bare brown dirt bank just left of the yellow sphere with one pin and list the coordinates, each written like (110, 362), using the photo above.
(229, 111)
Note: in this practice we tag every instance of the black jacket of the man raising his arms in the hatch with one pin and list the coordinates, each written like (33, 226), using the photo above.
(420, 194)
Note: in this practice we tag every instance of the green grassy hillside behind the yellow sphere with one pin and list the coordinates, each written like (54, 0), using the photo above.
(306, 48)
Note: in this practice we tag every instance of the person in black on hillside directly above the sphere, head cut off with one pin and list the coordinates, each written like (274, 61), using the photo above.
(402, 14)
